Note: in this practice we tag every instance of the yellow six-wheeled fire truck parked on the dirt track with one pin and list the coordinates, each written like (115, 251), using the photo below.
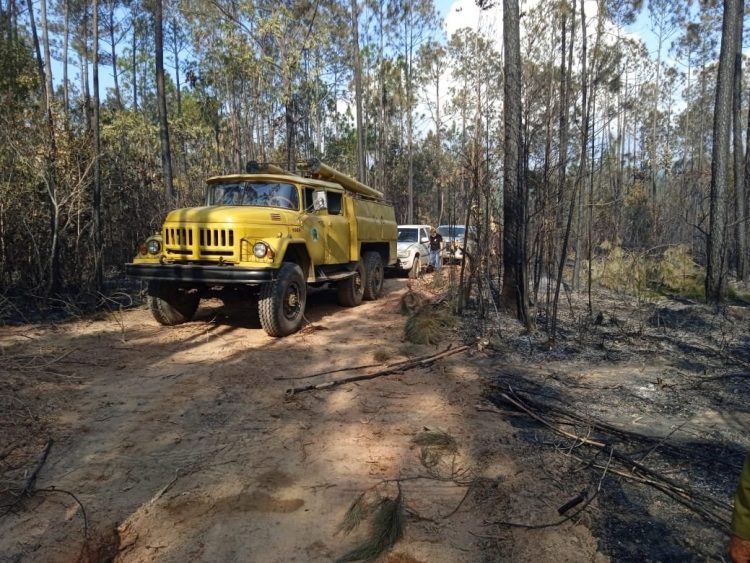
(262, 237)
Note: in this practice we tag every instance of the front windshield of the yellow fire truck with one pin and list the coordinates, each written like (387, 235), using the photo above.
(259, 194)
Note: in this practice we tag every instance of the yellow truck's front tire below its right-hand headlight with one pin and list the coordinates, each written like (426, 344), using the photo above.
(282, 301)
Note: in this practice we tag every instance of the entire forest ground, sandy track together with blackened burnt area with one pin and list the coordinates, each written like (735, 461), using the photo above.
(181, 444)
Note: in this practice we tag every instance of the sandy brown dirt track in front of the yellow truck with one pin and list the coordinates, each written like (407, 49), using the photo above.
(180, 445)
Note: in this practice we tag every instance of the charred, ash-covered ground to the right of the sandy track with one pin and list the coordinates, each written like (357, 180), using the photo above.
(672, 375)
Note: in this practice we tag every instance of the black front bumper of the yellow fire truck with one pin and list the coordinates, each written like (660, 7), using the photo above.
(192, 273)
